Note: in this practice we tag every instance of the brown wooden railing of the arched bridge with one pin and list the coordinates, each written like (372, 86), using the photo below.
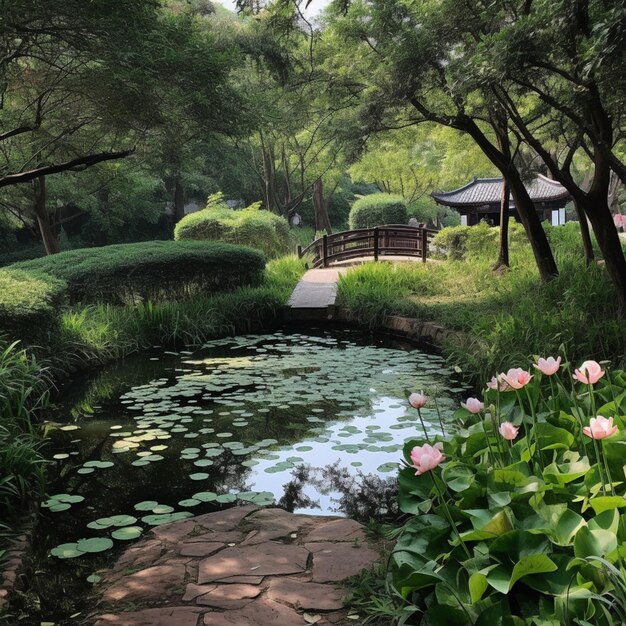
(376, 242)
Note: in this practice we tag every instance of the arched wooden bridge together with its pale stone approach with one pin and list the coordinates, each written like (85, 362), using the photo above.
(314, 296)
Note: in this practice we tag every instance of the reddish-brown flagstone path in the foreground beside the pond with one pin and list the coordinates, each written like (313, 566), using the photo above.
(244, 566)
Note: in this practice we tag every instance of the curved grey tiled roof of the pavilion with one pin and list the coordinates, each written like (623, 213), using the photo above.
(481, 191)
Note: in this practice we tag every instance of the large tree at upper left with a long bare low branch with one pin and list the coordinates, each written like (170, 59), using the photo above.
(81, 86)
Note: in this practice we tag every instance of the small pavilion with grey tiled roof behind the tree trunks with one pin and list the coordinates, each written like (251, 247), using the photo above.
(480, 200)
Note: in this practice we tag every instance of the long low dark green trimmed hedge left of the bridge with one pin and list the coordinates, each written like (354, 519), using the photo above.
(155, 270)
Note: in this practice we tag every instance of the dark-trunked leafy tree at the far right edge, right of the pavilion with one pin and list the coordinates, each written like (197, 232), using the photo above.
(556, 69)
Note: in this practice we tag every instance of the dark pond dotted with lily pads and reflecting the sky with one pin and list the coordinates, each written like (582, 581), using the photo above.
(312, 422)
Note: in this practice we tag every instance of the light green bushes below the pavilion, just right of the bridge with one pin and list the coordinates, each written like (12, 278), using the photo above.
(471, 242)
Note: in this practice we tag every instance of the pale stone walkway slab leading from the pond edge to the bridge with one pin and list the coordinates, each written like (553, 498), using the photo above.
(314, 296)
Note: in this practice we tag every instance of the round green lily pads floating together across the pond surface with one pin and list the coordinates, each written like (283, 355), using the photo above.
(247, 408)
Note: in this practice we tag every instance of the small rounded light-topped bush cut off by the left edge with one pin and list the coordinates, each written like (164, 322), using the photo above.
(29, 303)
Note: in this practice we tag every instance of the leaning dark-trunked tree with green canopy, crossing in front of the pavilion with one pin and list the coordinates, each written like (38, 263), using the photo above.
(412, 55)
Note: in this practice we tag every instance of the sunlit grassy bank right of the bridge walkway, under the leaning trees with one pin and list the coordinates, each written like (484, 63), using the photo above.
(507, 317)
